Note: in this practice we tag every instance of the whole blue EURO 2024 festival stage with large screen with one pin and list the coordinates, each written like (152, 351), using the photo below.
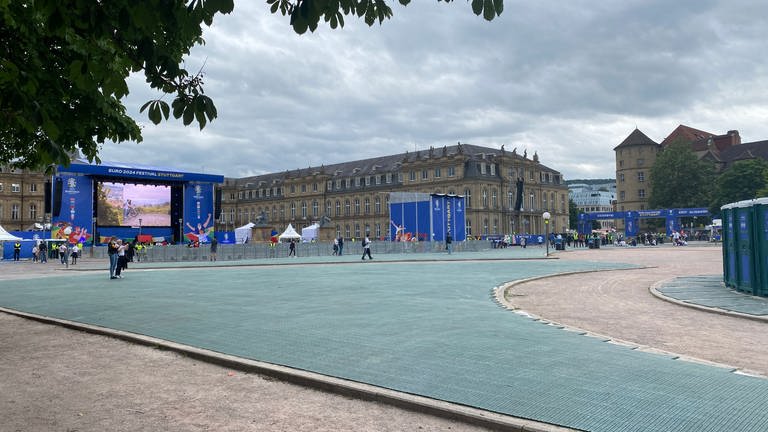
(96, 202)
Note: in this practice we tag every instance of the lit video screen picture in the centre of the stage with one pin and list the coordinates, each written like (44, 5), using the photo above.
(126, 204)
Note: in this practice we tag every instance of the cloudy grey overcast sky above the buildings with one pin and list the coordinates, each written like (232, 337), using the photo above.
(567, 79)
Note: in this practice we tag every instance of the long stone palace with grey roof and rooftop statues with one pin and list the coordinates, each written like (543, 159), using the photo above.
(353, 197)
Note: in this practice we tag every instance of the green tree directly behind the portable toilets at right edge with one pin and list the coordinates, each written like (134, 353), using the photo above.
(742, 180)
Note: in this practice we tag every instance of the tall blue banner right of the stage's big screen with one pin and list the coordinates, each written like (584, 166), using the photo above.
(198, 212)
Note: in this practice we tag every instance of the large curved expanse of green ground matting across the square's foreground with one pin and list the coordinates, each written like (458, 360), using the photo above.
(426, 328)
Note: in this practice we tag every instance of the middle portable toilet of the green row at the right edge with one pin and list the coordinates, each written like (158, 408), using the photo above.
(745, 265)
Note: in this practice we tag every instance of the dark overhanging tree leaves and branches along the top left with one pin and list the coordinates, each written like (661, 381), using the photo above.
(64, 66)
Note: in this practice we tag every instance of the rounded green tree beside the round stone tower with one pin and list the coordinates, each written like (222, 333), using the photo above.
(679, 179)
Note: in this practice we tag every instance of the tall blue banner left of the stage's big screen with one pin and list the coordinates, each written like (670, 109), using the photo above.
(75, 219)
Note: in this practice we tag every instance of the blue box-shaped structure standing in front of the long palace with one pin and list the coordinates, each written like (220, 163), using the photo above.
(426, 217)
